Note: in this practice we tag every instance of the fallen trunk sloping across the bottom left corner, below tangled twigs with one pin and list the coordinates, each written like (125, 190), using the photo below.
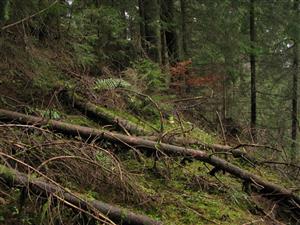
(39, 187)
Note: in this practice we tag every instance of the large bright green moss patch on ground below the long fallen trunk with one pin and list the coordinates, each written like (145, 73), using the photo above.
(179, 204)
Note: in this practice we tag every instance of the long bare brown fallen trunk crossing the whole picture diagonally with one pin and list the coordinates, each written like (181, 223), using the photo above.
(219, 164)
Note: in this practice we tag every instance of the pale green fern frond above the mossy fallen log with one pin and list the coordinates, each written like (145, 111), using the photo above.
(110, 84)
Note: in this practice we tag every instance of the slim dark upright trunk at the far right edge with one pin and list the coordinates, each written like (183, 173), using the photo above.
(294, 154)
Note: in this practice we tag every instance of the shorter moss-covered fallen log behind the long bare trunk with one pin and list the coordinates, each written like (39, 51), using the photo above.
(98, 113)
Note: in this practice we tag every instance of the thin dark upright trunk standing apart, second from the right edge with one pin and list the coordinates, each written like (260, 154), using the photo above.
(253, 70)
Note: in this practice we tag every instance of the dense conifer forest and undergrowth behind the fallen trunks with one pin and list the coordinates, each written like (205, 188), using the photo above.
(227, 67)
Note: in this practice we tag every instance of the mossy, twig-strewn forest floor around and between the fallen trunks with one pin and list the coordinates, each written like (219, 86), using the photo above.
(165, 188)
